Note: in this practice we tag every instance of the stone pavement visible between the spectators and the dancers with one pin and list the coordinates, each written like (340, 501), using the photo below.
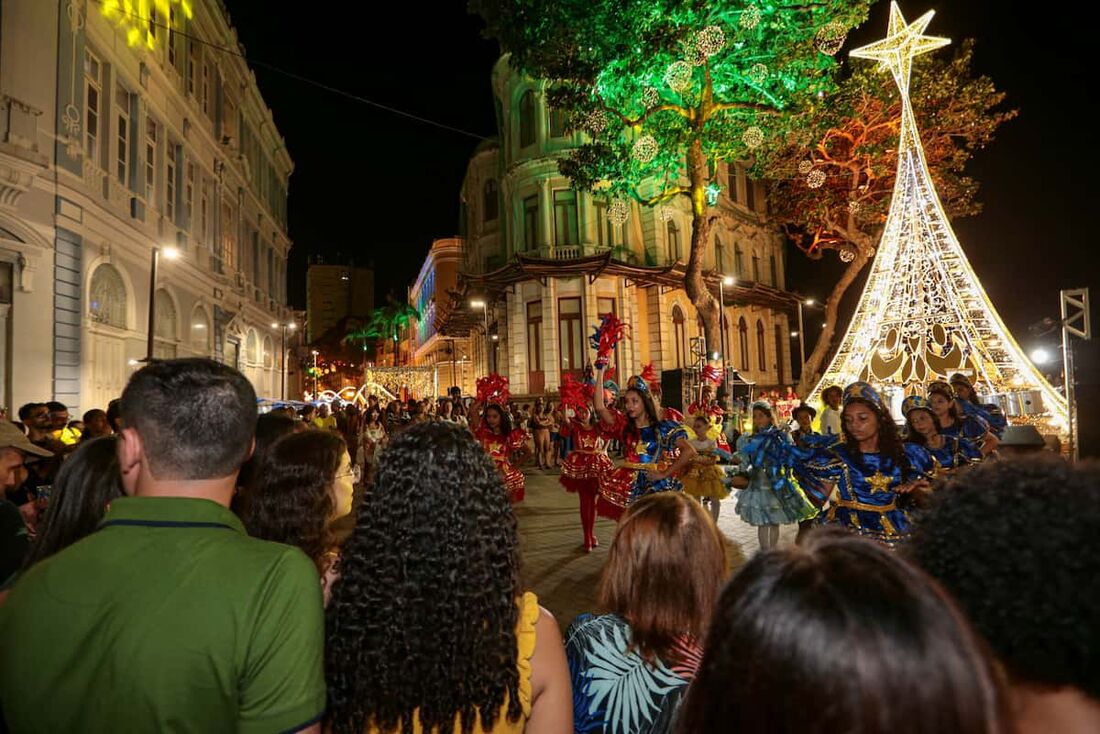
(555, 565)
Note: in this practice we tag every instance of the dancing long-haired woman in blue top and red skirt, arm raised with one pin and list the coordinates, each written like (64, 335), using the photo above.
(656, 452)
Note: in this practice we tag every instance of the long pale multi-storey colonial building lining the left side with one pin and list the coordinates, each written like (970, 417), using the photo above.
(120, 135)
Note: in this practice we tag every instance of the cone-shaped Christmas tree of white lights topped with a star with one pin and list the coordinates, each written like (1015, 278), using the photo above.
(923, 314)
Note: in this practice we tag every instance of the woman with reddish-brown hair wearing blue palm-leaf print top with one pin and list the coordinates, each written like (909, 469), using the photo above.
(632, 666)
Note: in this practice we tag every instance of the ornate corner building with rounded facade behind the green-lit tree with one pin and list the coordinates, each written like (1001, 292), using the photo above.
(549, 261)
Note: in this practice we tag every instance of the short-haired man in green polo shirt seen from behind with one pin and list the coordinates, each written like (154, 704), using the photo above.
(170, 618)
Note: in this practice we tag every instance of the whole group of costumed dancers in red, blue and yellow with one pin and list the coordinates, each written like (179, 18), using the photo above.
(861, 470)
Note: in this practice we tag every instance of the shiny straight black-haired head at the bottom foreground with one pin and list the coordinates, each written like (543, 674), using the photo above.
(860, 639)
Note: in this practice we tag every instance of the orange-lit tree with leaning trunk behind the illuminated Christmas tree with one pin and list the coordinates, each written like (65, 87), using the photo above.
(852, 146)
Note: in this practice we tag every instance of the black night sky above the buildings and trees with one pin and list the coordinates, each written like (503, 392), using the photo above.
(379, 188)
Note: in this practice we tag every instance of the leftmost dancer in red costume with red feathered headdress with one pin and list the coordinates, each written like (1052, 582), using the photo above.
(492, 426)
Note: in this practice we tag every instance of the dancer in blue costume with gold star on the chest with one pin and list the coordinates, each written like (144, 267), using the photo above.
(865, 477)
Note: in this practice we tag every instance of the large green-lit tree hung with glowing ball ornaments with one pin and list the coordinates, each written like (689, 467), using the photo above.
(666, 90)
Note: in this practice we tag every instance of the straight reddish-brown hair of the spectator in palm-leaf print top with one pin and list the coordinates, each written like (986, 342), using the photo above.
(666, 566)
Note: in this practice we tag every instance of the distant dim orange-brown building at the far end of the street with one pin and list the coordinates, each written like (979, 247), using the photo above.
(334, 293)
